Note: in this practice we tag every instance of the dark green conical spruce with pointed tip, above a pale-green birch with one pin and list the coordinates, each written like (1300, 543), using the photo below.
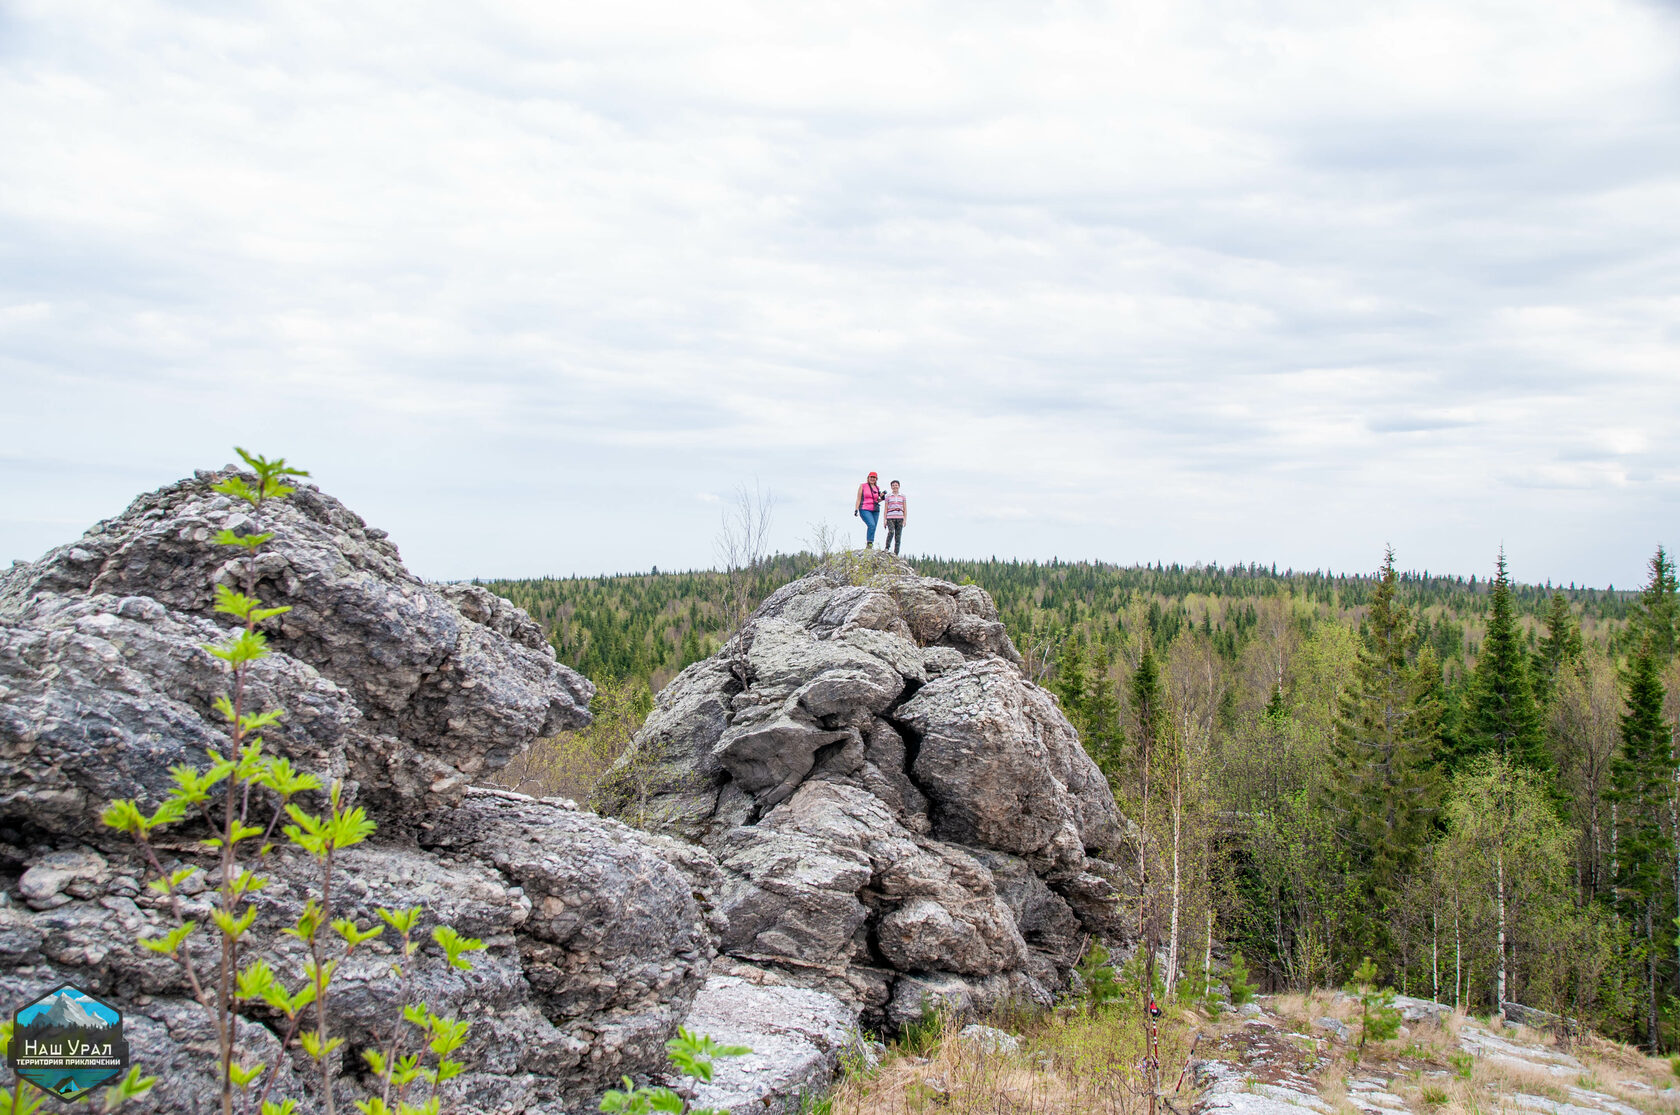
(1501, 716)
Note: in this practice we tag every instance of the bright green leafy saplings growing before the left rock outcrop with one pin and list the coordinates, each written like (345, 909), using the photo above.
(241, 798)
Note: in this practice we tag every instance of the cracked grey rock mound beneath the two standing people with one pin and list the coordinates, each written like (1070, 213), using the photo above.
(896, 810)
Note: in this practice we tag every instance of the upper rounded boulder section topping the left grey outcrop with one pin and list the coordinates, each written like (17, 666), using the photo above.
(402, 688)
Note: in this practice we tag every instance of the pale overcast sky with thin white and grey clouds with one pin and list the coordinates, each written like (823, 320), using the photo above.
(538, 288)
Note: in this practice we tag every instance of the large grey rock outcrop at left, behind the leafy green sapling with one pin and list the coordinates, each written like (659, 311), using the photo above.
(599, 936)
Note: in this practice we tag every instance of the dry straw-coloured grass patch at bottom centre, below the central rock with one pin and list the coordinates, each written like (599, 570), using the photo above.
(1068, 1062)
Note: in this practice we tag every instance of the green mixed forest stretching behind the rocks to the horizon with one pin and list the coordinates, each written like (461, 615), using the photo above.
(1466, 780)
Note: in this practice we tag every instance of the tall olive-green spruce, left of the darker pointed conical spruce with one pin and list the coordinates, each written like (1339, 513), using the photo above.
(1383, 783)
